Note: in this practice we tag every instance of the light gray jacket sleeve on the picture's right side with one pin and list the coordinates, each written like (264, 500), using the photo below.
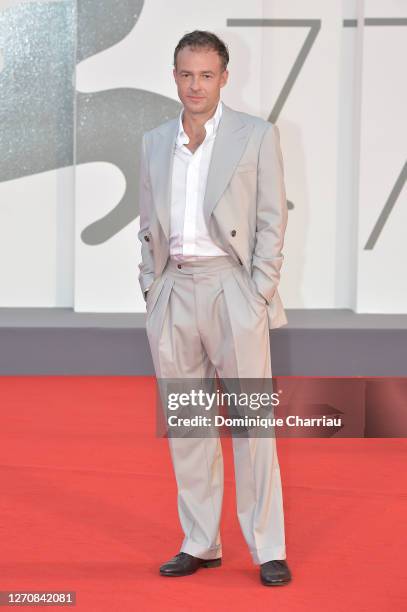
(272, 215)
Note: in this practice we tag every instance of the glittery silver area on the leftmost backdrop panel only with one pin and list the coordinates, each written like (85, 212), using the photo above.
(36, 97)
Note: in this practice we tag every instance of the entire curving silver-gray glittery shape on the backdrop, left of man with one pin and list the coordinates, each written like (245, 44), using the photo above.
(40, 42)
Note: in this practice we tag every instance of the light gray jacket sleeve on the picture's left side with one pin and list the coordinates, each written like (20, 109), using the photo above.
(146, 267)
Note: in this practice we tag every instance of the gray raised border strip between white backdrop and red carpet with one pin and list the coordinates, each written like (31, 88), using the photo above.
(41, 341)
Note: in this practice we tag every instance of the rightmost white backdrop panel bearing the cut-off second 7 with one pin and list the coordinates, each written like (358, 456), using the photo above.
(382, 254)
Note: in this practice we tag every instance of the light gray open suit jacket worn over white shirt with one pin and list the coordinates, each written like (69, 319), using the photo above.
(245, 204)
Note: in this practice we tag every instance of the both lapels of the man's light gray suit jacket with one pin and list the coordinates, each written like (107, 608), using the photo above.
(230, 142)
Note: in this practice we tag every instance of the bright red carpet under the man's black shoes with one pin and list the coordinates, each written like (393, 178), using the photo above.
(88, 504)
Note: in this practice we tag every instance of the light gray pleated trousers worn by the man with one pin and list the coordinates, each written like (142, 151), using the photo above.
(205, 316)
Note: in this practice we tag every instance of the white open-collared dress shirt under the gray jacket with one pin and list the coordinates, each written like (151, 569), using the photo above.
(189, 237)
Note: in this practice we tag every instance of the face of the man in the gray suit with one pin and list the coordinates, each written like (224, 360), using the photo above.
(199, 76)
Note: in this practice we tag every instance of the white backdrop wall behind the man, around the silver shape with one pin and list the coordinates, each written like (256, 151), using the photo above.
(343, 134)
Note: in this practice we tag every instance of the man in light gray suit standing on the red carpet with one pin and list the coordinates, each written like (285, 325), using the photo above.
(213, 214)
